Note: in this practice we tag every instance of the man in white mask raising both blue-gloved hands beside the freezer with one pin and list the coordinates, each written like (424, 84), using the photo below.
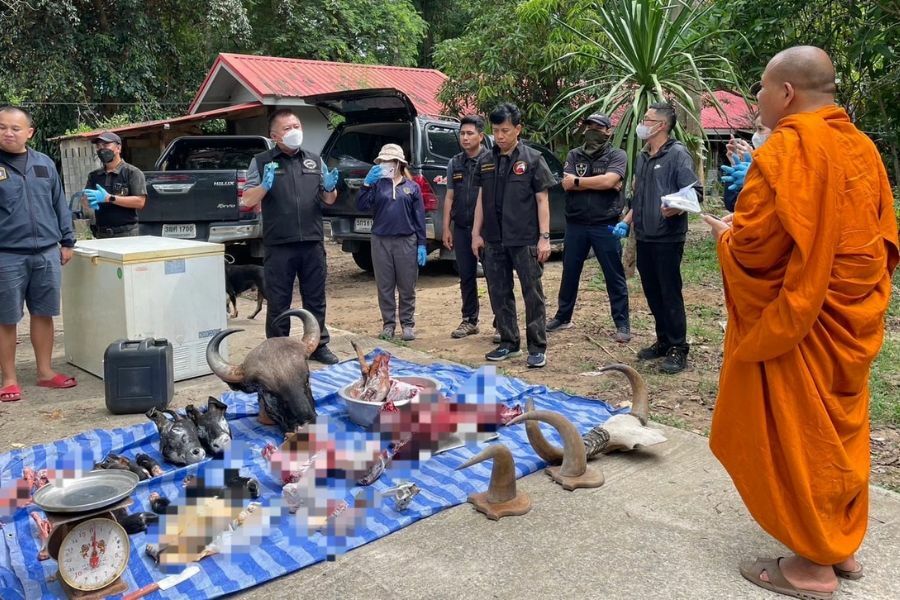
(292, 184)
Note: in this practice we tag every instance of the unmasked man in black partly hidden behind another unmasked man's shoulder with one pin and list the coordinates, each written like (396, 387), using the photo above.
(459, 212)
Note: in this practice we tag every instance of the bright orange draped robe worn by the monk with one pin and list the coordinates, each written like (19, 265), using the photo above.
(807, 271)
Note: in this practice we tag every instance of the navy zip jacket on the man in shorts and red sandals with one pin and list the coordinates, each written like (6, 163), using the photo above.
(34, 214)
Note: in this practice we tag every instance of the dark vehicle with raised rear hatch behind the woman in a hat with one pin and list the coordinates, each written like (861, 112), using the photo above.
(372, 118)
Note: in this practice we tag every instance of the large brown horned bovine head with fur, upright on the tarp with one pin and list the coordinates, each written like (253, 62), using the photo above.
(277, 370)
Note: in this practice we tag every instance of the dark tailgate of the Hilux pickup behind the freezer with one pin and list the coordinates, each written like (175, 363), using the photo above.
(191, 196)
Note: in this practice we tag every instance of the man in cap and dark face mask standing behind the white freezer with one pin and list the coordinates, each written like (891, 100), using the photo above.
(115, 191)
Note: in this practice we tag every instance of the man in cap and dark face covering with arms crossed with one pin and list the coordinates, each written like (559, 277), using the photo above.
(593, 179)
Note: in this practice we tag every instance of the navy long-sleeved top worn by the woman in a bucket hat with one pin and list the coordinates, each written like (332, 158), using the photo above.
(395, 216)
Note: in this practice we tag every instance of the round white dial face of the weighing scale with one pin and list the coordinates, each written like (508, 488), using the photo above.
(93, 554)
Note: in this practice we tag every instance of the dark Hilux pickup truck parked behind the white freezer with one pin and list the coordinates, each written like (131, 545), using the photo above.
(195, 189)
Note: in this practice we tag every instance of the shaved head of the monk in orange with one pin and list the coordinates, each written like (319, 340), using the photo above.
(799, 79)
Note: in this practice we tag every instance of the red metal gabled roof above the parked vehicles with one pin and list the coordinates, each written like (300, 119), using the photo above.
(272, 77)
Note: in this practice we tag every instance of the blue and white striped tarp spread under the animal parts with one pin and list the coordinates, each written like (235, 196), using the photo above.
(281, 552)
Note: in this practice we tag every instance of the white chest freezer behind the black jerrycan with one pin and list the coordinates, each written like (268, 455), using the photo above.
(142, 287)
